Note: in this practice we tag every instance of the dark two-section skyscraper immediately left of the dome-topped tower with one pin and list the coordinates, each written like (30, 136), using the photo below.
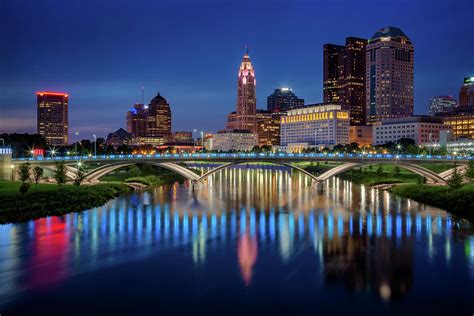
(344, 77)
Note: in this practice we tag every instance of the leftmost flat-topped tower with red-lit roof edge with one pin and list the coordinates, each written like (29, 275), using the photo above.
(52, 117)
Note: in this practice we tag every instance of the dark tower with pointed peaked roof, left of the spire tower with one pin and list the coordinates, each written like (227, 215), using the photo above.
(159, 119)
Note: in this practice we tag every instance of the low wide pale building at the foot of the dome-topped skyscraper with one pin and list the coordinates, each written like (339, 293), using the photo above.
(421, 129)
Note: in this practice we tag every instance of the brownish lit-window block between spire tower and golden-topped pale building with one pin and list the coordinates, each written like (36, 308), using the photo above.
(268, 128)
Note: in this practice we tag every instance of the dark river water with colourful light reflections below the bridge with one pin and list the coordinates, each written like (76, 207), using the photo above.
(248, 241)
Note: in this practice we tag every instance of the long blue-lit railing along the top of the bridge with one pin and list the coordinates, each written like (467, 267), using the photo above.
(249, 156)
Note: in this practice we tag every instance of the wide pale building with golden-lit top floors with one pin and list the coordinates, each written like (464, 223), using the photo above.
(316, 125)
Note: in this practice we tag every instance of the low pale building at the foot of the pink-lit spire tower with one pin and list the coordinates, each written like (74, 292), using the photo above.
(235, 140)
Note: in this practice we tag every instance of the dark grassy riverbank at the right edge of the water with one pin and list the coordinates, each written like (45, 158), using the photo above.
(459, 202)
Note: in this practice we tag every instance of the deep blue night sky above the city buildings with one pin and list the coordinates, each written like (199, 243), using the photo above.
(102, 52)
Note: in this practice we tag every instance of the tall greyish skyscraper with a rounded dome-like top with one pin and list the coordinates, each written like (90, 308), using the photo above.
(389, 75)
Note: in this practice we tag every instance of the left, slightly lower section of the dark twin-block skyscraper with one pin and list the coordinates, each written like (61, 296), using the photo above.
(331, 56)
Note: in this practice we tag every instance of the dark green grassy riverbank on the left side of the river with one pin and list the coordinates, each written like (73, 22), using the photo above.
(50, 200)
